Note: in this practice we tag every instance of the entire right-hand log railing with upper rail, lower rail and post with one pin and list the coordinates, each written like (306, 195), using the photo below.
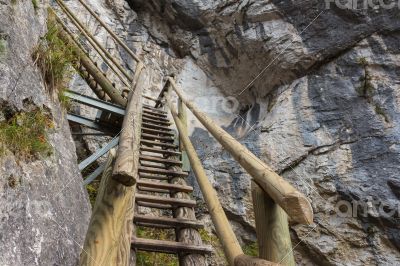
(273, 197)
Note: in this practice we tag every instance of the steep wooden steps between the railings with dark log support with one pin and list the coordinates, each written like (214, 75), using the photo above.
(161, 186)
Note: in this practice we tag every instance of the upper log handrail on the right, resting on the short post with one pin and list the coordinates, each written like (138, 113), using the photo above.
(283, 193)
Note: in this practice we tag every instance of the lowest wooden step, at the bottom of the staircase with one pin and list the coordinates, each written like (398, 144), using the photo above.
(168, 246)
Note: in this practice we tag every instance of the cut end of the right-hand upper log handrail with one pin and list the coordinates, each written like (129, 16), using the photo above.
(299, 208)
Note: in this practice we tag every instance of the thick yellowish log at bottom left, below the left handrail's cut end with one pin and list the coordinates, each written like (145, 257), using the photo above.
(108, 237)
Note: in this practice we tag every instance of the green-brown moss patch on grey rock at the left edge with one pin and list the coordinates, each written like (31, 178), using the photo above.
(25, 134)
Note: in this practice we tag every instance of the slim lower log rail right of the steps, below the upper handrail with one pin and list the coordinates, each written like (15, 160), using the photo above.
(227, 237)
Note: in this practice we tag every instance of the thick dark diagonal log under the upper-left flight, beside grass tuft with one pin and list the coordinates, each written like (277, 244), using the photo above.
(97, 75)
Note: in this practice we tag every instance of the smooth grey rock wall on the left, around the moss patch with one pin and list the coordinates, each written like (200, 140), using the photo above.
(44, 209)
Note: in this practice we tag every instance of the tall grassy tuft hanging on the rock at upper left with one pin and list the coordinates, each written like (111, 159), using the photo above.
(54, 58)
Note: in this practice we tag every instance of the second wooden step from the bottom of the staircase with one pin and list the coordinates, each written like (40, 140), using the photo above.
(165, 222)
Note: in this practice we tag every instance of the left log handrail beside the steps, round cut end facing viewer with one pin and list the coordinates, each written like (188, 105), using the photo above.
(127, 163)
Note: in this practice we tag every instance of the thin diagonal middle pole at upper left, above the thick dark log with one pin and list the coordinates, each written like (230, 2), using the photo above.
(95, 44)
